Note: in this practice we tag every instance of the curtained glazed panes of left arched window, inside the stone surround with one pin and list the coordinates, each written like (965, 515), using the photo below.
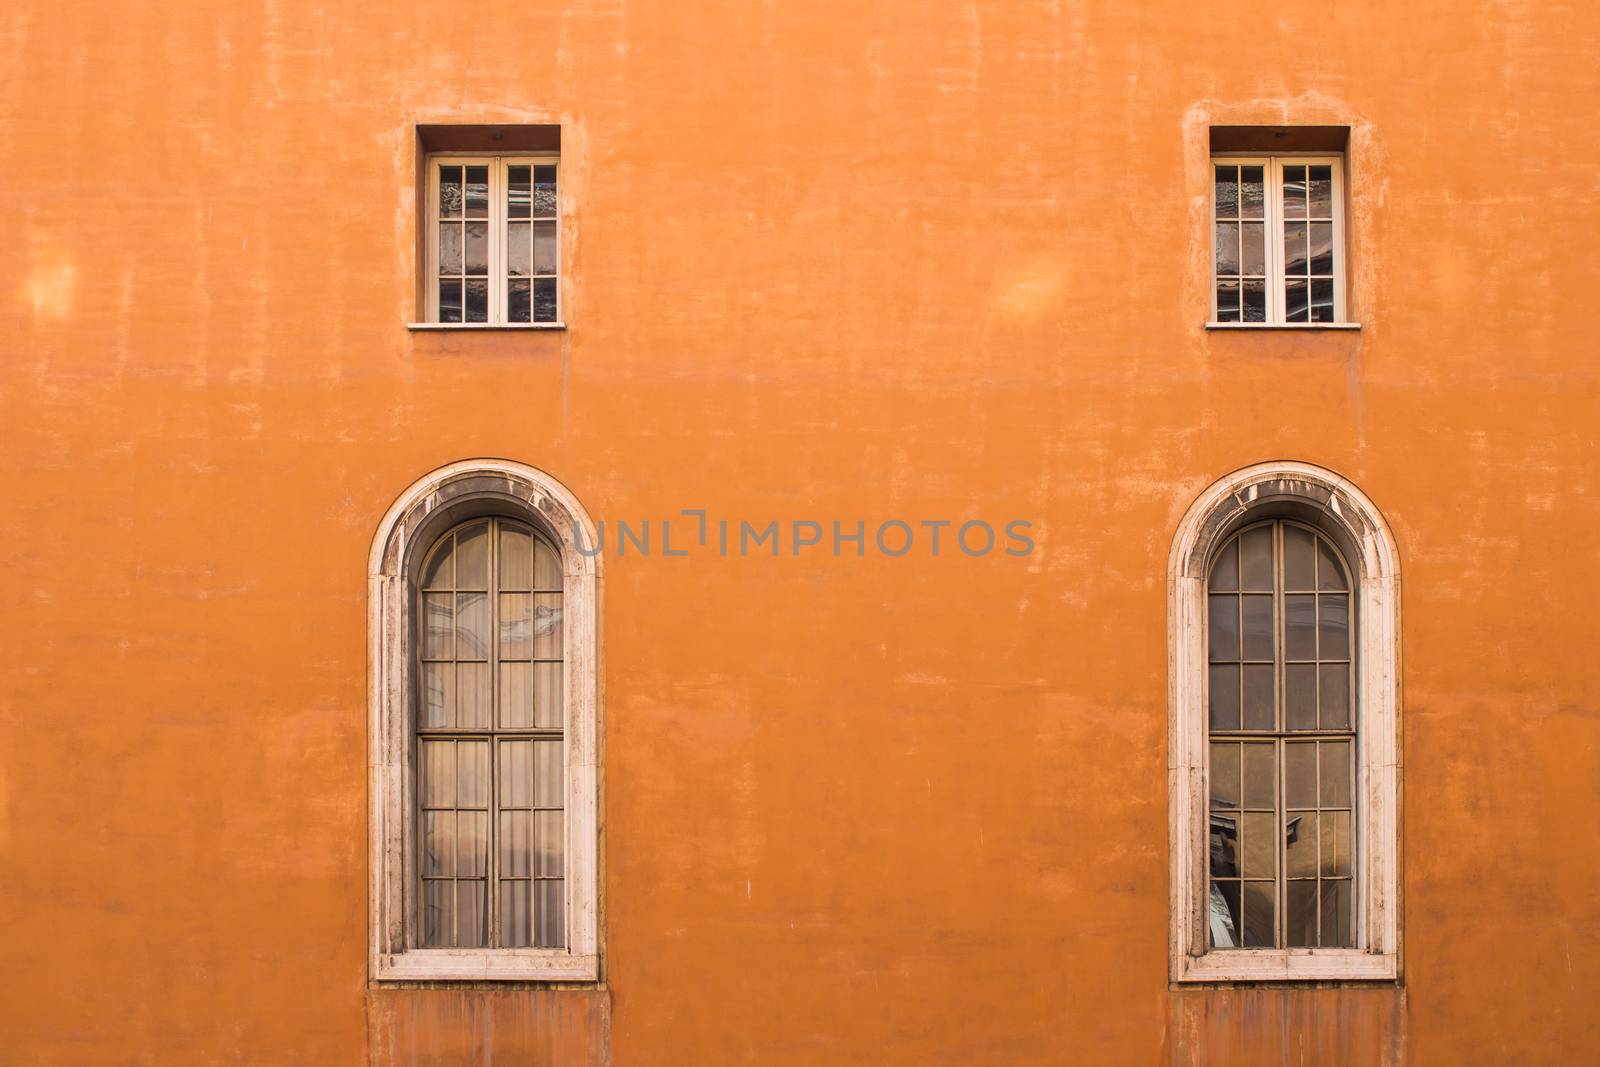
(490, 740)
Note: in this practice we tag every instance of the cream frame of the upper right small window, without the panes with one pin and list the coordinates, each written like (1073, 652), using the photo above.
(1273, 217)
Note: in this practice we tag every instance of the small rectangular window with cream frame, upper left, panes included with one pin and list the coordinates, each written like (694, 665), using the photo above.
(494, 241)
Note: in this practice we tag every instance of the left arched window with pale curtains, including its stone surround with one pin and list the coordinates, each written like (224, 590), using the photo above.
(486, 730)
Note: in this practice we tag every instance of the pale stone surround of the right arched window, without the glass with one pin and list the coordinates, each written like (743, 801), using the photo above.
(1338, 508)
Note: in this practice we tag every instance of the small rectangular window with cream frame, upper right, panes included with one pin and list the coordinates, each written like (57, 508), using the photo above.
(1278, 233)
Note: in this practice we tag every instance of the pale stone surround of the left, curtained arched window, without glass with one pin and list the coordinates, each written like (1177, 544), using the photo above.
(430, 508)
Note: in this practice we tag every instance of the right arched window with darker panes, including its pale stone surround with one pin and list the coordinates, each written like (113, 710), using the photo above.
(1286, 732)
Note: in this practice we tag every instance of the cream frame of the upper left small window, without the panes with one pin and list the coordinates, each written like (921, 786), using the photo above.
(498, 166)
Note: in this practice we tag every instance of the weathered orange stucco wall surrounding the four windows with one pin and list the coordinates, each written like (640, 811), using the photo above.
(825, 262)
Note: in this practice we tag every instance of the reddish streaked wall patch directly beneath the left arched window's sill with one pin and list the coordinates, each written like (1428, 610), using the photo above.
(471, 1028)
